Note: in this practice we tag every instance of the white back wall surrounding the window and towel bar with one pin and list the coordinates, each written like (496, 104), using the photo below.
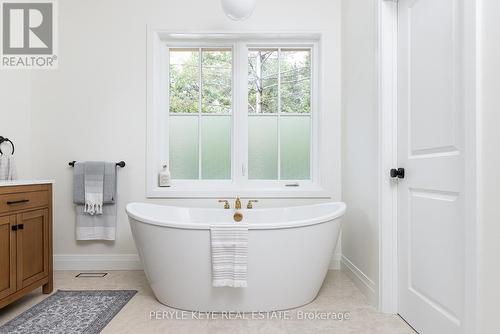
(94, 106)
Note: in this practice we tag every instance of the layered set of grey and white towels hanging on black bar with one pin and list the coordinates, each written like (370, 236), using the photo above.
(97, 178)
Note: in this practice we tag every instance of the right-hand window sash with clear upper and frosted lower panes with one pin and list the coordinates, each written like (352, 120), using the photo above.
(279, 110)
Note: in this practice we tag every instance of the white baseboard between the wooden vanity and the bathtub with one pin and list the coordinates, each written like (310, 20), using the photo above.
(97, 262)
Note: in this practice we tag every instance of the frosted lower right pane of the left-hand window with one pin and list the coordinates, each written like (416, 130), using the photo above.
(216, 147)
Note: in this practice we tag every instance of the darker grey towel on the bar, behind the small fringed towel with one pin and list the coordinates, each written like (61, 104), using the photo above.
(109, 189)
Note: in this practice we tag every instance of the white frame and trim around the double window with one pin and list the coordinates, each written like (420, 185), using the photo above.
(158, 114)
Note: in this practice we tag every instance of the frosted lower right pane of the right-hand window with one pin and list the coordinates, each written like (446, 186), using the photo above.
(295, 133)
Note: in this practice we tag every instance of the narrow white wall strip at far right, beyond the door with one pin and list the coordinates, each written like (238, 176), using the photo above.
(489, 168)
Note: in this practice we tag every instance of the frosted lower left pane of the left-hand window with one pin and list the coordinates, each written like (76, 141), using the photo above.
(184, 147)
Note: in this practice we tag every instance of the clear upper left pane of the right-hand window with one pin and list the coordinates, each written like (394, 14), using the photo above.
(263, 81)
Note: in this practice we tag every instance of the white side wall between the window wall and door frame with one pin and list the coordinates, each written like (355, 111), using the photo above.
(360, 144)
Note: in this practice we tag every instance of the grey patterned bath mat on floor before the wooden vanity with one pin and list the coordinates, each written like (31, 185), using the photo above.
(70, 312)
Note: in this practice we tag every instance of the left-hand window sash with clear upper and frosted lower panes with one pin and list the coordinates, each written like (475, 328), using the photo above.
(200, 108)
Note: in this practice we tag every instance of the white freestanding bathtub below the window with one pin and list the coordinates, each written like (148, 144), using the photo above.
(289, 251)
